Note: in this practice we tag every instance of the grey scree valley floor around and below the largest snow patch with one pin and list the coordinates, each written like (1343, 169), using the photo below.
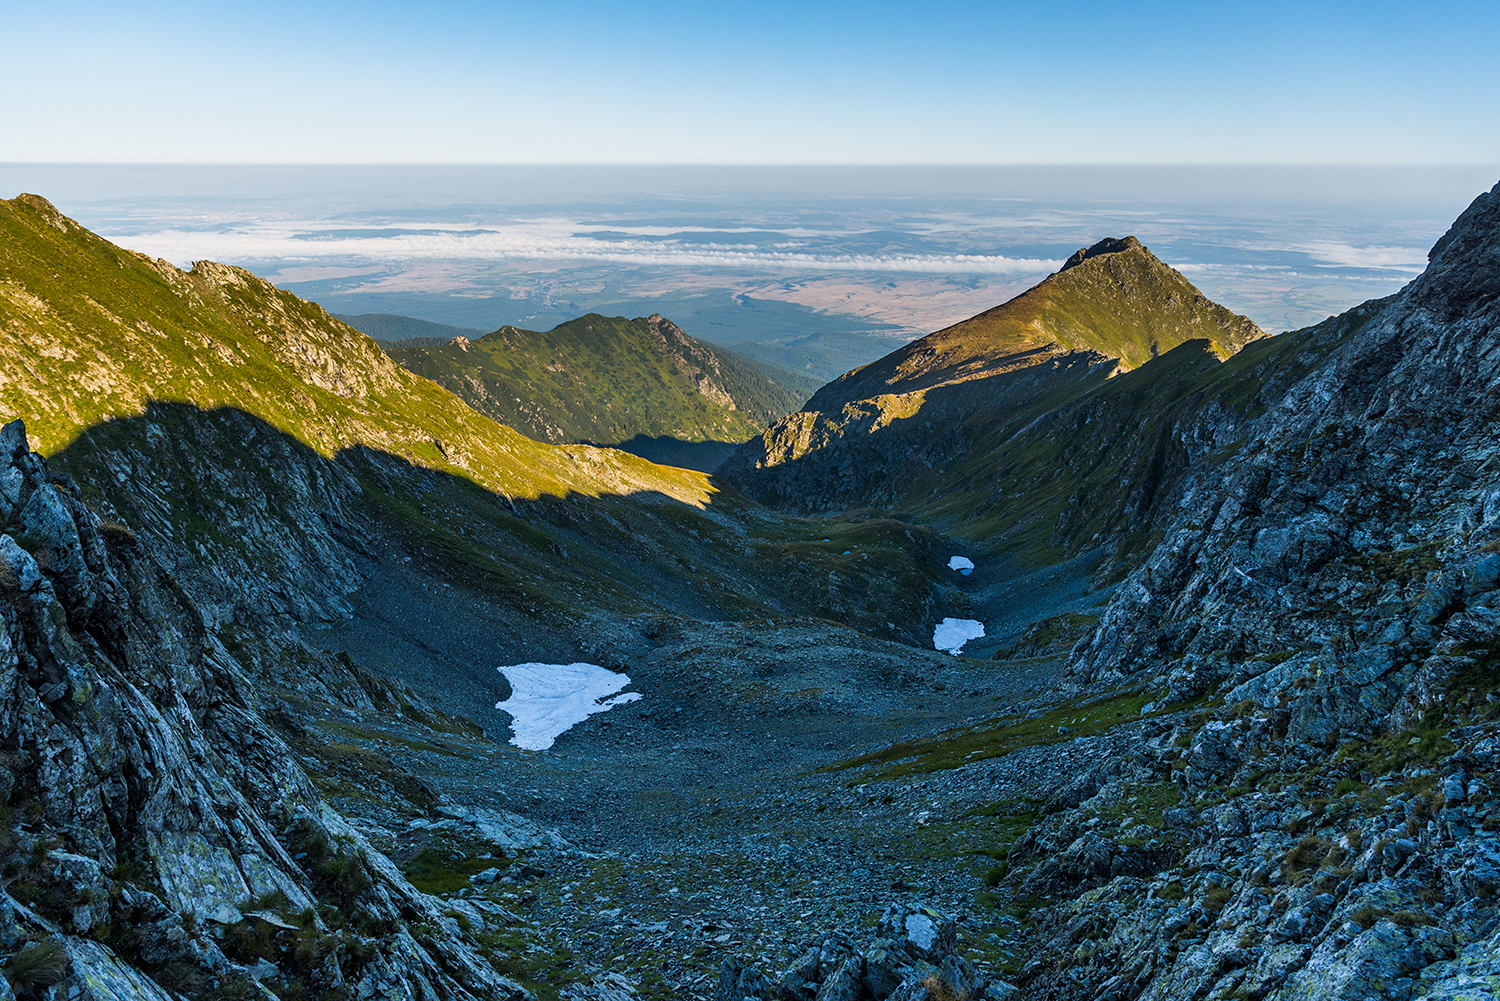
(734, 810)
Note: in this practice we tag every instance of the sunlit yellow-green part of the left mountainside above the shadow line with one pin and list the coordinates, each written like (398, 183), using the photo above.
(91, 331)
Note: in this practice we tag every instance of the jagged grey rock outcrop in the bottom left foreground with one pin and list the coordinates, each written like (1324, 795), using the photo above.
(158, 837)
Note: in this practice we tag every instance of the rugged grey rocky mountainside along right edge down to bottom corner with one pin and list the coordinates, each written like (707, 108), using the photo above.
(1330, 832)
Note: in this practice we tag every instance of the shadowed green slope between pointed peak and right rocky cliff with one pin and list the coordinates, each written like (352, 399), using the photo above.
(1114, 466)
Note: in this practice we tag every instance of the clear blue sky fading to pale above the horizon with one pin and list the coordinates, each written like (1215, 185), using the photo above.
(778, 82)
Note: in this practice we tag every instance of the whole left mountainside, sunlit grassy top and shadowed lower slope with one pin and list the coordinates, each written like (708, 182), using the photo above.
(280, 454)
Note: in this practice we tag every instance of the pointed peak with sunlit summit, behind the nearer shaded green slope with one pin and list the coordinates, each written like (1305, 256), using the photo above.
(893, 433)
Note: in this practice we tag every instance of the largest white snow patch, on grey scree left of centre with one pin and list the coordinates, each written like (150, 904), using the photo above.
(548, 699)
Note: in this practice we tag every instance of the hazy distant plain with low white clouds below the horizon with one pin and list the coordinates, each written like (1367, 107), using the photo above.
(820, 269)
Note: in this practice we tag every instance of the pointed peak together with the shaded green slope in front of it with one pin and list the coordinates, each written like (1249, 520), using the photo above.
(1039, 428)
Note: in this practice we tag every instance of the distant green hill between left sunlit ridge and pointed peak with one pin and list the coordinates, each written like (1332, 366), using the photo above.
(640, 385)
